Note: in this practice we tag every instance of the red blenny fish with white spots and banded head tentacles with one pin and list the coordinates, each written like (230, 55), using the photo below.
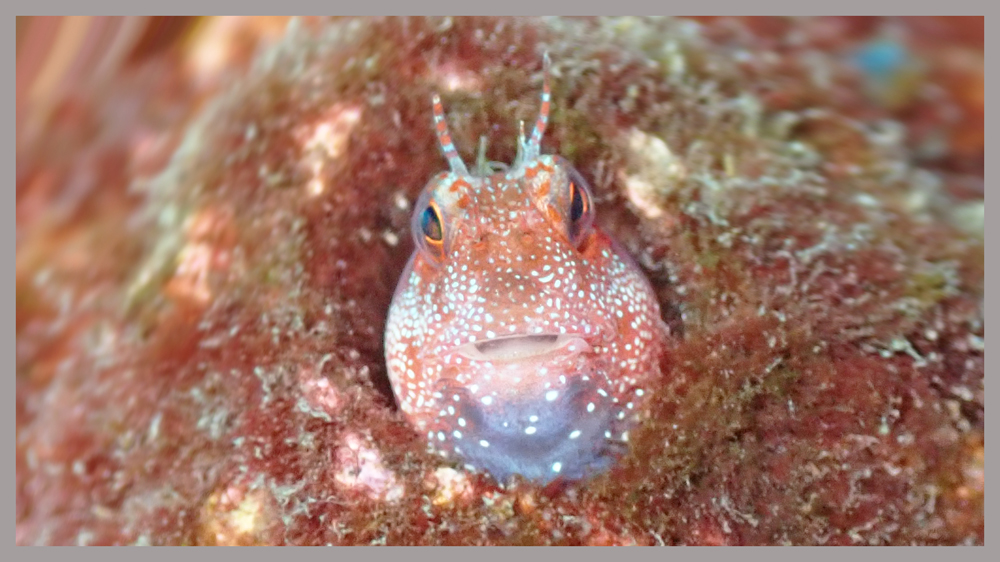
(521, 337)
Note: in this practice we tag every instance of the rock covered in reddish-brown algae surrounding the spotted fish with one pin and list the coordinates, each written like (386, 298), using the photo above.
(199, 355)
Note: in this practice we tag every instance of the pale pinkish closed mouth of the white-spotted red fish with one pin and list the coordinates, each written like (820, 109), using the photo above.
(523, 348)
